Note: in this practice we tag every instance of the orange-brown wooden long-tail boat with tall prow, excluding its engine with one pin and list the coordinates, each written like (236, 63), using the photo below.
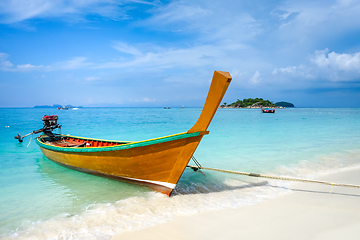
(156, 163)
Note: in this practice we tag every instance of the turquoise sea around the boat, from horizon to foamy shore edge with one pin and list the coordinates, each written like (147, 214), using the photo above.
(42, 200)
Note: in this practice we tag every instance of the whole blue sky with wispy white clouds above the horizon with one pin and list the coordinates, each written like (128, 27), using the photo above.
(137, 53)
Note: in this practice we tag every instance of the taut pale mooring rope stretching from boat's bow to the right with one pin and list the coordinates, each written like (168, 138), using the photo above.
(275, 177)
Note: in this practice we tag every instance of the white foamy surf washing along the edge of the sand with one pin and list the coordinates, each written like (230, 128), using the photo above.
(101, 221)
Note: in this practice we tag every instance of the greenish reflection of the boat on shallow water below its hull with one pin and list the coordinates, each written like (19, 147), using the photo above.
(73, 190)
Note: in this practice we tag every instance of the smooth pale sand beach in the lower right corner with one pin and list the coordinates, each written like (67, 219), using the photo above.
(311, 211)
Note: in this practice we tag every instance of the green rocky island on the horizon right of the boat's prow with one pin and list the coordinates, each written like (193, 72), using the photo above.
(256, 103)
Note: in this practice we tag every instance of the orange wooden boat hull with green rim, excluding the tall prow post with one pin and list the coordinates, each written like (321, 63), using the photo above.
(157, 163)
